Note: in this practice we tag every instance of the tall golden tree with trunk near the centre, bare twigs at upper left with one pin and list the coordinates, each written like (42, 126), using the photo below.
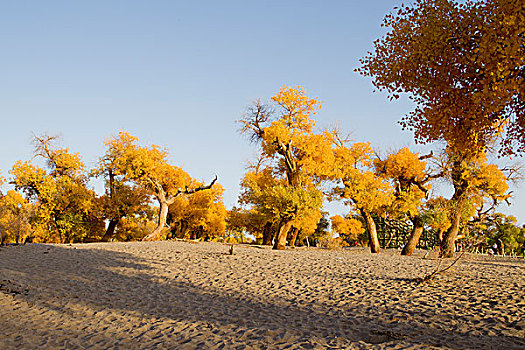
(285, 130)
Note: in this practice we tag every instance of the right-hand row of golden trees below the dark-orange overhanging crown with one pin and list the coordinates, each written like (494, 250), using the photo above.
(283, 191)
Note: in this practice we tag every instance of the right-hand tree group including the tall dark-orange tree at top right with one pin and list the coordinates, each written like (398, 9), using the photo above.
(463, 66)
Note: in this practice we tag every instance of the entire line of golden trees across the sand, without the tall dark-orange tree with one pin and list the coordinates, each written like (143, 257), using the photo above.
(281, 196)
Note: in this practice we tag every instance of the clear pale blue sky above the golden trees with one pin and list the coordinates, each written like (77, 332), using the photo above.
(180, 74)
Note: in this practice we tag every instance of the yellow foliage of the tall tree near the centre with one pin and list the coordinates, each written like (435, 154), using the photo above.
(297, 158)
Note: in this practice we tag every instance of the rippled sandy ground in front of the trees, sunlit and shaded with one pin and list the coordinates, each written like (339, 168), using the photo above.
(180, 295)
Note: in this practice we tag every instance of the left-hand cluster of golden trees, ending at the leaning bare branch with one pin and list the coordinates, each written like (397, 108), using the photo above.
(55, 204)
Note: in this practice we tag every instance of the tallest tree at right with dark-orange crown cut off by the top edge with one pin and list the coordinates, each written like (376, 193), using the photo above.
(462, 65)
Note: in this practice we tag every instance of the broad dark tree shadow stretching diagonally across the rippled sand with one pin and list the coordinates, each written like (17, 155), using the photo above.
(100, 279)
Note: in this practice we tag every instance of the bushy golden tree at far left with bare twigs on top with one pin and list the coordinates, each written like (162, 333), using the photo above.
(64, 208)
